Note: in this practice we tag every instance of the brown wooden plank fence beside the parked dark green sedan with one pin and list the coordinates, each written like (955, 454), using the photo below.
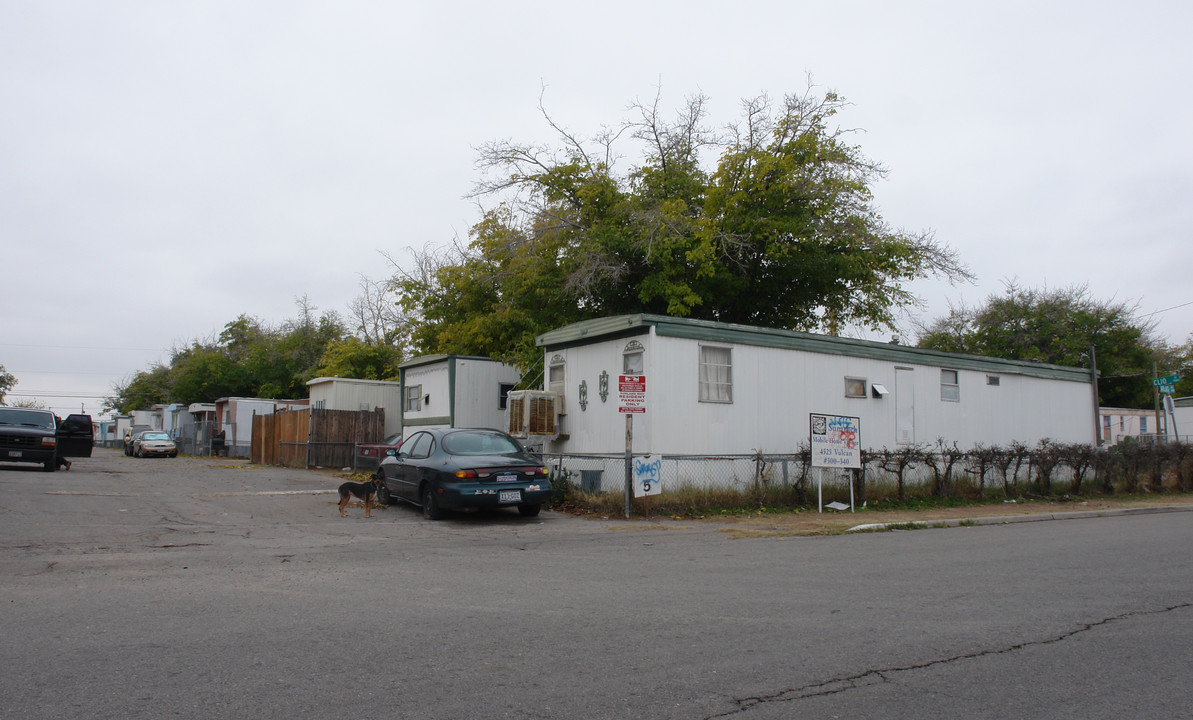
(314, 438)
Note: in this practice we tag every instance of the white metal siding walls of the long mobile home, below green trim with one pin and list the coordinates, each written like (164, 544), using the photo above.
(775, 390)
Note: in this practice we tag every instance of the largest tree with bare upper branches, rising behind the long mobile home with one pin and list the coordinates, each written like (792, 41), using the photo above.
(780, 232)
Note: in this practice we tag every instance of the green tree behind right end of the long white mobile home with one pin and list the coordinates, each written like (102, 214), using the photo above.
(1059, 327)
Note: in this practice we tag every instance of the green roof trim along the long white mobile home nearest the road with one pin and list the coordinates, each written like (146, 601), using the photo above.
(623, 326)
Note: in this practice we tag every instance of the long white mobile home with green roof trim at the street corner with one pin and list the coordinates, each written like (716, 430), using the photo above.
(720, 388)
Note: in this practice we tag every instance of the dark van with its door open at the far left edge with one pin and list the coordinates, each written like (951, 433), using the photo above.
(34, 436)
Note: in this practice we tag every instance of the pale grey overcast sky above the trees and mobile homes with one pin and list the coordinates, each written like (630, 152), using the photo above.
(166, 167)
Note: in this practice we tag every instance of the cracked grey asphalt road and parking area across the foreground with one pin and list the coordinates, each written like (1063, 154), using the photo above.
(186, 588)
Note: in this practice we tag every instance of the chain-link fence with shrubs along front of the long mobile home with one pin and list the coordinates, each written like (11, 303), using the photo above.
(942, 471)
